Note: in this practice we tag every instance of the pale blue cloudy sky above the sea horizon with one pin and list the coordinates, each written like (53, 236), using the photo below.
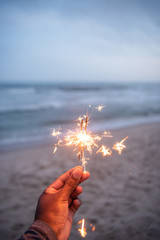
(79, 41)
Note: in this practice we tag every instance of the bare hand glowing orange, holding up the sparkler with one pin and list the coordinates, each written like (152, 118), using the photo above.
(59, 202)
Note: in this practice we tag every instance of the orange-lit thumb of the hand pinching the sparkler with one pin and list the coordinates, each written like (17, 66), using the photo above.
(72, 182)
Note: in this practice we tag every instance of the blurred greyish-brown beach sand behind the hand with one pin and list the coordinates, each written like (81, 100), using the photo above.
(121, 198)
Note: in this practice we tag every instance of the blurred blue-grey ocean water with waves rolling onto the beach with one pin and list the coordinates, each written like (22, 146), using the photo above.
(28, 113)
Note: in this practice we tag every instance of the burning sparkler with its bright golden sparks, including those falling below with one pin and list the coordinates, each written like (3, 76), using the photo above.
(83, 140)
